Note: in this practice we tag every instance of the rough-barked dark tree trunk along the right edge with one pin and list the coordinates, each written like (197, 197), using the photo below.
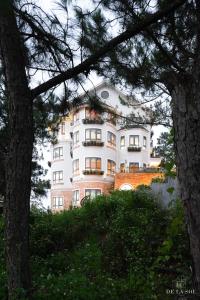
(186, 119)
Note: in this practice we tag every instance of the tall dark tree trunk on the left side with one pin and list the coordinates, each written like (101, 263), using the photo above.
(18, 172)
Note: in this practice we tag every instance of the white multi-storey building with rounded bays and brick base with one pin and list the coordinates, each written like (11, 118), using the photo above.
(92, 147)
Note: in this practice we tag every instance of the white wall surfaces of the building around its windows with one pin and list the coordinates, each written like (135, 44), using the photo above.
(104, 152)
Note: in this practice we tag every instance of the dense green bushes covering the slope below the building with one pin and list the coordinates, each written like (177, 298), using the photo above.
(122, 246)
